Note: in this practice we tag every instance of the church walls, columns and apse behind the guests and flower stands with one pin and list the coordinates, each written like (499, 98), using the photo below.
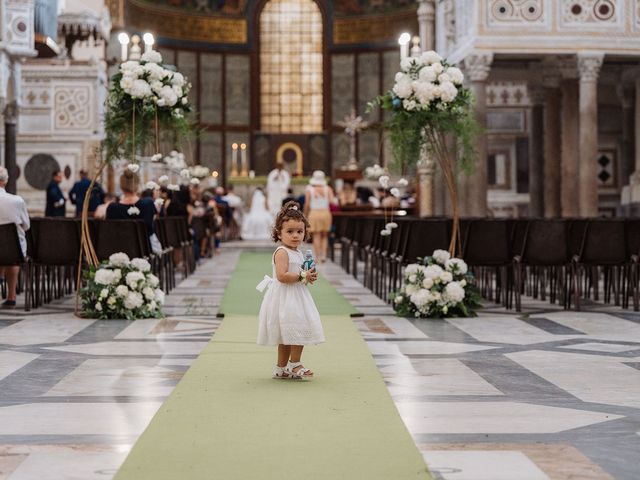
(549, 74)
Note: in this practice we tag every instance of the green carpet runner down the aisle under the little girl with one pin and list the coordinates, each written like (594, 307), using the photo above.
(228, 419)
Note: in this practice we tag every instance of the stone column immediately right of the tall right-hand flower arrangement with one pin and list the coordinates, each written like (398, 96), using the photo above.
(477, 67)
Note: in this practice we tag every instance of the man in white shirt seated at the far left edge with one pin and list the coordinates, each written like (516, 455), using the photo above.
(12, 210)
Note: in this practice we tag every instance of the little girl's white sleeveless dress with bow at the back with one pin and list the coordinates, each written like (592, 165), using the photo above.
(288, 314)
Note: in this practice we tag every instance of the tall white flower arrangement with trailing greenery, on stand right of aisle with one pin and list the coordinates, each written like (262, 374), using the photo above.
(431, 109)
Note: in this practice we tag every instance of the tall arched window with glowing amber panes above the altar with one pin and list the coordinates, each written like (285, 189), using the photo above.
(291, 67)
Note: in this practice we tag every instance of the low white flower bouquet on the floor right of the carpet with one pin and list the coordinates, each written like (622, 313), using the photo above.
(439, 286)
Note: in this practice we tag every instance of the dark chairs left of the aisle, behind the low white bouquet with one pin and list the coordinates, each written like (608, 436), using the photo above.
(49, 271)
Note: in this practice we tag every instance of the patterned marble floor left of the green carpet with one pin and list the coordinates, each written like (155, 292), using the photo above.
(75, 394)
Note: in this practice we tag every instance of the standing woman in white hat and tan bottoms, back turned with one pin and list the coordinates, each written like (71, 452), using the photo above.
(318, 196)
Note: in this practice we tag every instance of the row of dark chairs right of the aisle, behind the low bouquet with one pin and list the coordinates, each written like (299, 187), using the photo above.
(565, 259)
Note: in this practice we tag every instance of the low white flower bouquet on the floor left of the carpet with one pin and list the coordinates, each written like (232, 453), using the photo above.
(122, 288)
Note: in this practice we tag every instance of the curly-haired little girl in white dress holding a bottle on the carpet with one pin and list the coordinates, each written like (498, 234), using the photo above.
(288, 316)
